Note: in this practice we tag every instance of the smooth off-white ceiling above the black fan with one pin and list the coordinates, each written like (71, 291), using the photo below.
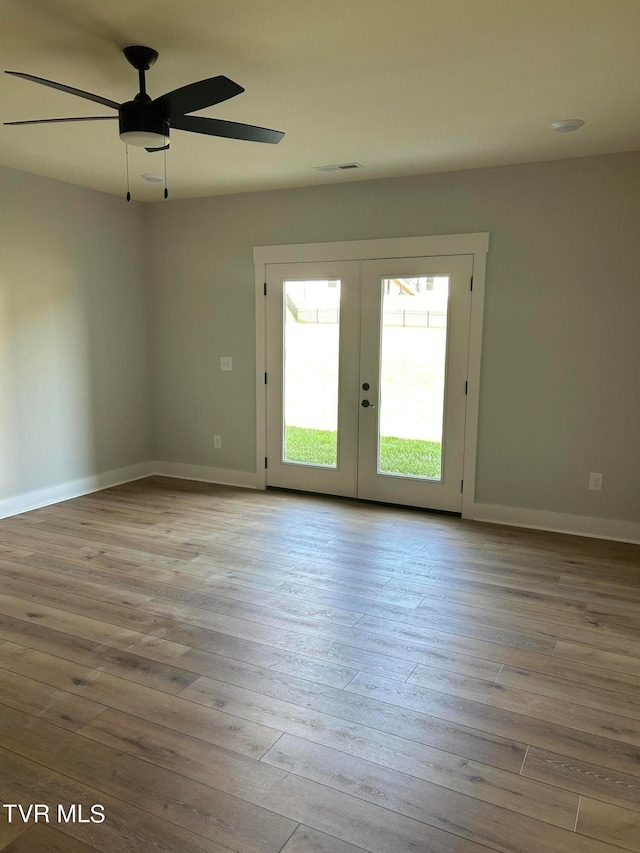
(403, 87)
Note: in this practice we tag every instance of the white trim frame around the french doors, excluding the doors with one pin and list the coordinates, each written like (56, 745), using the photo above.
(394, 247)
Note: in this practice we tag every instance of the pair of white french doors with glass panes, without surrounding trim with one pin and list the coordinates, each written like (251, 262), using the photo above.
(366, 378)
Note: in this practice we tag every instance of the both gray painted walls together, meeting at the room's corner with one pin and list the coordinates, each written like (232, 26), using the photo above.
(85, 277)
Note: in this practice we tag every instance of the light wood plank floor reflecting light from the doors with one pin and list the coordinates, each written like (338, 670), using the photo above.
(229, 670)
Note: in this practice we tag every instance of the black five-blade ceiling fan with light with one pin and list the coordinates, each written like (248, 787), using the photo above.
(146, 123)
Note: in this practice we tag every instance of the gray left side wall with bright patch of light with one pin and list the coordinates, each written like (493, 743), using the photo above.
(74, 356)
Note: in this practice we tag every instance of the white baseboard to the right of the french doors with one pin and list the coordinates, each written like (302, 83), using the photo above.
(557, 522)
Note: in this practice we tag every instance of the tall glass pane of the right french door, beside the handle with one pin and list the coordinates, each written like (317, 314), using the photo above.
(412, 374)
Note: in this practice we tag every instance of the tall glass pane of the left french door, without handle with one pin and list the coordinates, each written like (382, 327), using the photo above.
(311, 311)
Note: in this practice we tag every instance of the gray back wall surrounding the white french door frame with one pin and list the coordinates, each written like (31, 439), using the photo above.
(560, 387)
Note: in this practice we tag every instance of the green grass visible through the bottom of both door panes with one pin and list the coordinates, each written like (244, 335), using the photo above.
(412, 457)
